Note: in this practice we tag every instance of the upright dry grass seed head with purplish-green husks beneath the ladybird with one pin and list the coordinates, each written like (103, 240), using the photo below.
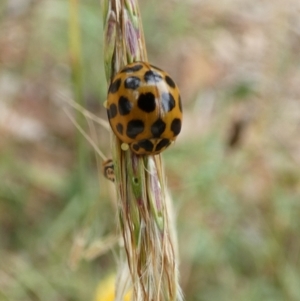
(144, 209)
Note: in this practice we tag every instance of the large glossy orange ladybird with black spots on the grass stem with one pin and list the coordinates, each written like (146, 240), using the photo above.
(144, 108)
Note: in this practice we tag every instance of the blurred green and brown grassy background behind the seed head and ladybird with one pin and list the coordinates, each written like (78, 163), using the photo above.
(233, 172)
